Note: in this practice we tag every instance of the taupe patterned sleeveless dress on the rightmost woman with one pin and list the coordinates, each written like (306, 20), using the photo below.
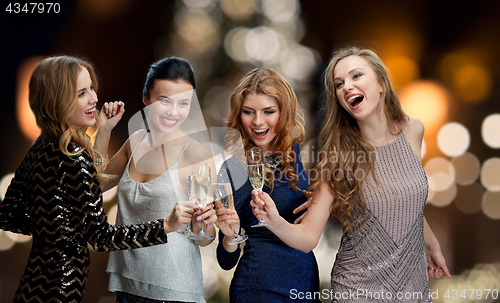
(384, 259)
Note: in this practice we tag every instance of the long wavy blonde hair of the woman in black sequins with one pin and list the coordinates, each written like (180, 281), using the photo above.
(53, 95)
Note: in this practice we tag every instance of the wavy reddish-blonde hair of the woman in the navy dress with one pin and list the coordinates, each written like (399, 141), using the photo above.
(290, 127)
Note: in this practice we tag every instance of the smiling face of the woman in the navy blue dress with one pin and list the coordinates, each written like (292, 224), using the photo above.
(259, 117)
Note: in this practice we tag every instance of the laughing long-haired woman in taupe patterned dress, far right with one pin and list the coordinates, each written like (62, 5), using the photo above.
(371, 178)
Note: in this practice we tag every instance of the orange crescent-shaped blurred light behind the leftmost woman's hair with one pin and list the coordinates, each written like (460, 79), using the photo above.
(25, 116)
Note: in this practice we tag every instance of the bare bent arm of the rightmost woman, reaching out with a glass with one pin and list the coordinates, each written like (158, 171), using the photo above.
(303, 236)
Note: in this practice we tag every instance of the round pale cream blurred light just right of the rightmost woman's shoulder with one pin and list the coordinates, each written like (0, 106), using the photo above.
(453, 139)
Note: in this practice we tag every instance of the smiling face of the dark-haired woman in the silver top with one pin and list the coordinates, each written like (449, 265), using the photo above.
(169, 102)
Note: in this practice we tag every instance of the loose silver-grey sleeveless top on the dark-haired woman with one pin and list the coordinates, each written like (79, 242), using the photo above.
(170, 272)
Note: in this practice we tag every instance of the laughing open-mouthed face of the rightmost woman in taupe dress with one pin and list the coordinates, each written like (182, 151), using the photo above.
(357, 87)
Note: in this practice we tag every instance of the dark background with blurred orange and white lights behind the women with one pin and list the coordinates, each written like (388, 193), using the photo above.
(443, 58)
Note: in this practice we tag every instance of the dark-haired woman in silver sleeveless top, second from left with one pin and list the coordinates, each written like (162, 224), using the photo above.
(153, 166)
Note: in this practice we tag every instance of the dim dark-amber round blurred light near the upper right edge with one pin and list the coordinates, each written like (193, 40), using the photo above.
(473, 82)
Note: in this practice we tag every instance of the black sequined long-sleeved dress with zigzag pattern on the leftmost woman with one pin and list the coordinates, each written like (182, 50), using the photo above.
(57, 199)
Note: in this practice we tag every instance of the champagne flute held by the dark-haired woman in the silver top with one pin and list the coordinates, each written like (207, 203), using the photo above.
(202, 183)
